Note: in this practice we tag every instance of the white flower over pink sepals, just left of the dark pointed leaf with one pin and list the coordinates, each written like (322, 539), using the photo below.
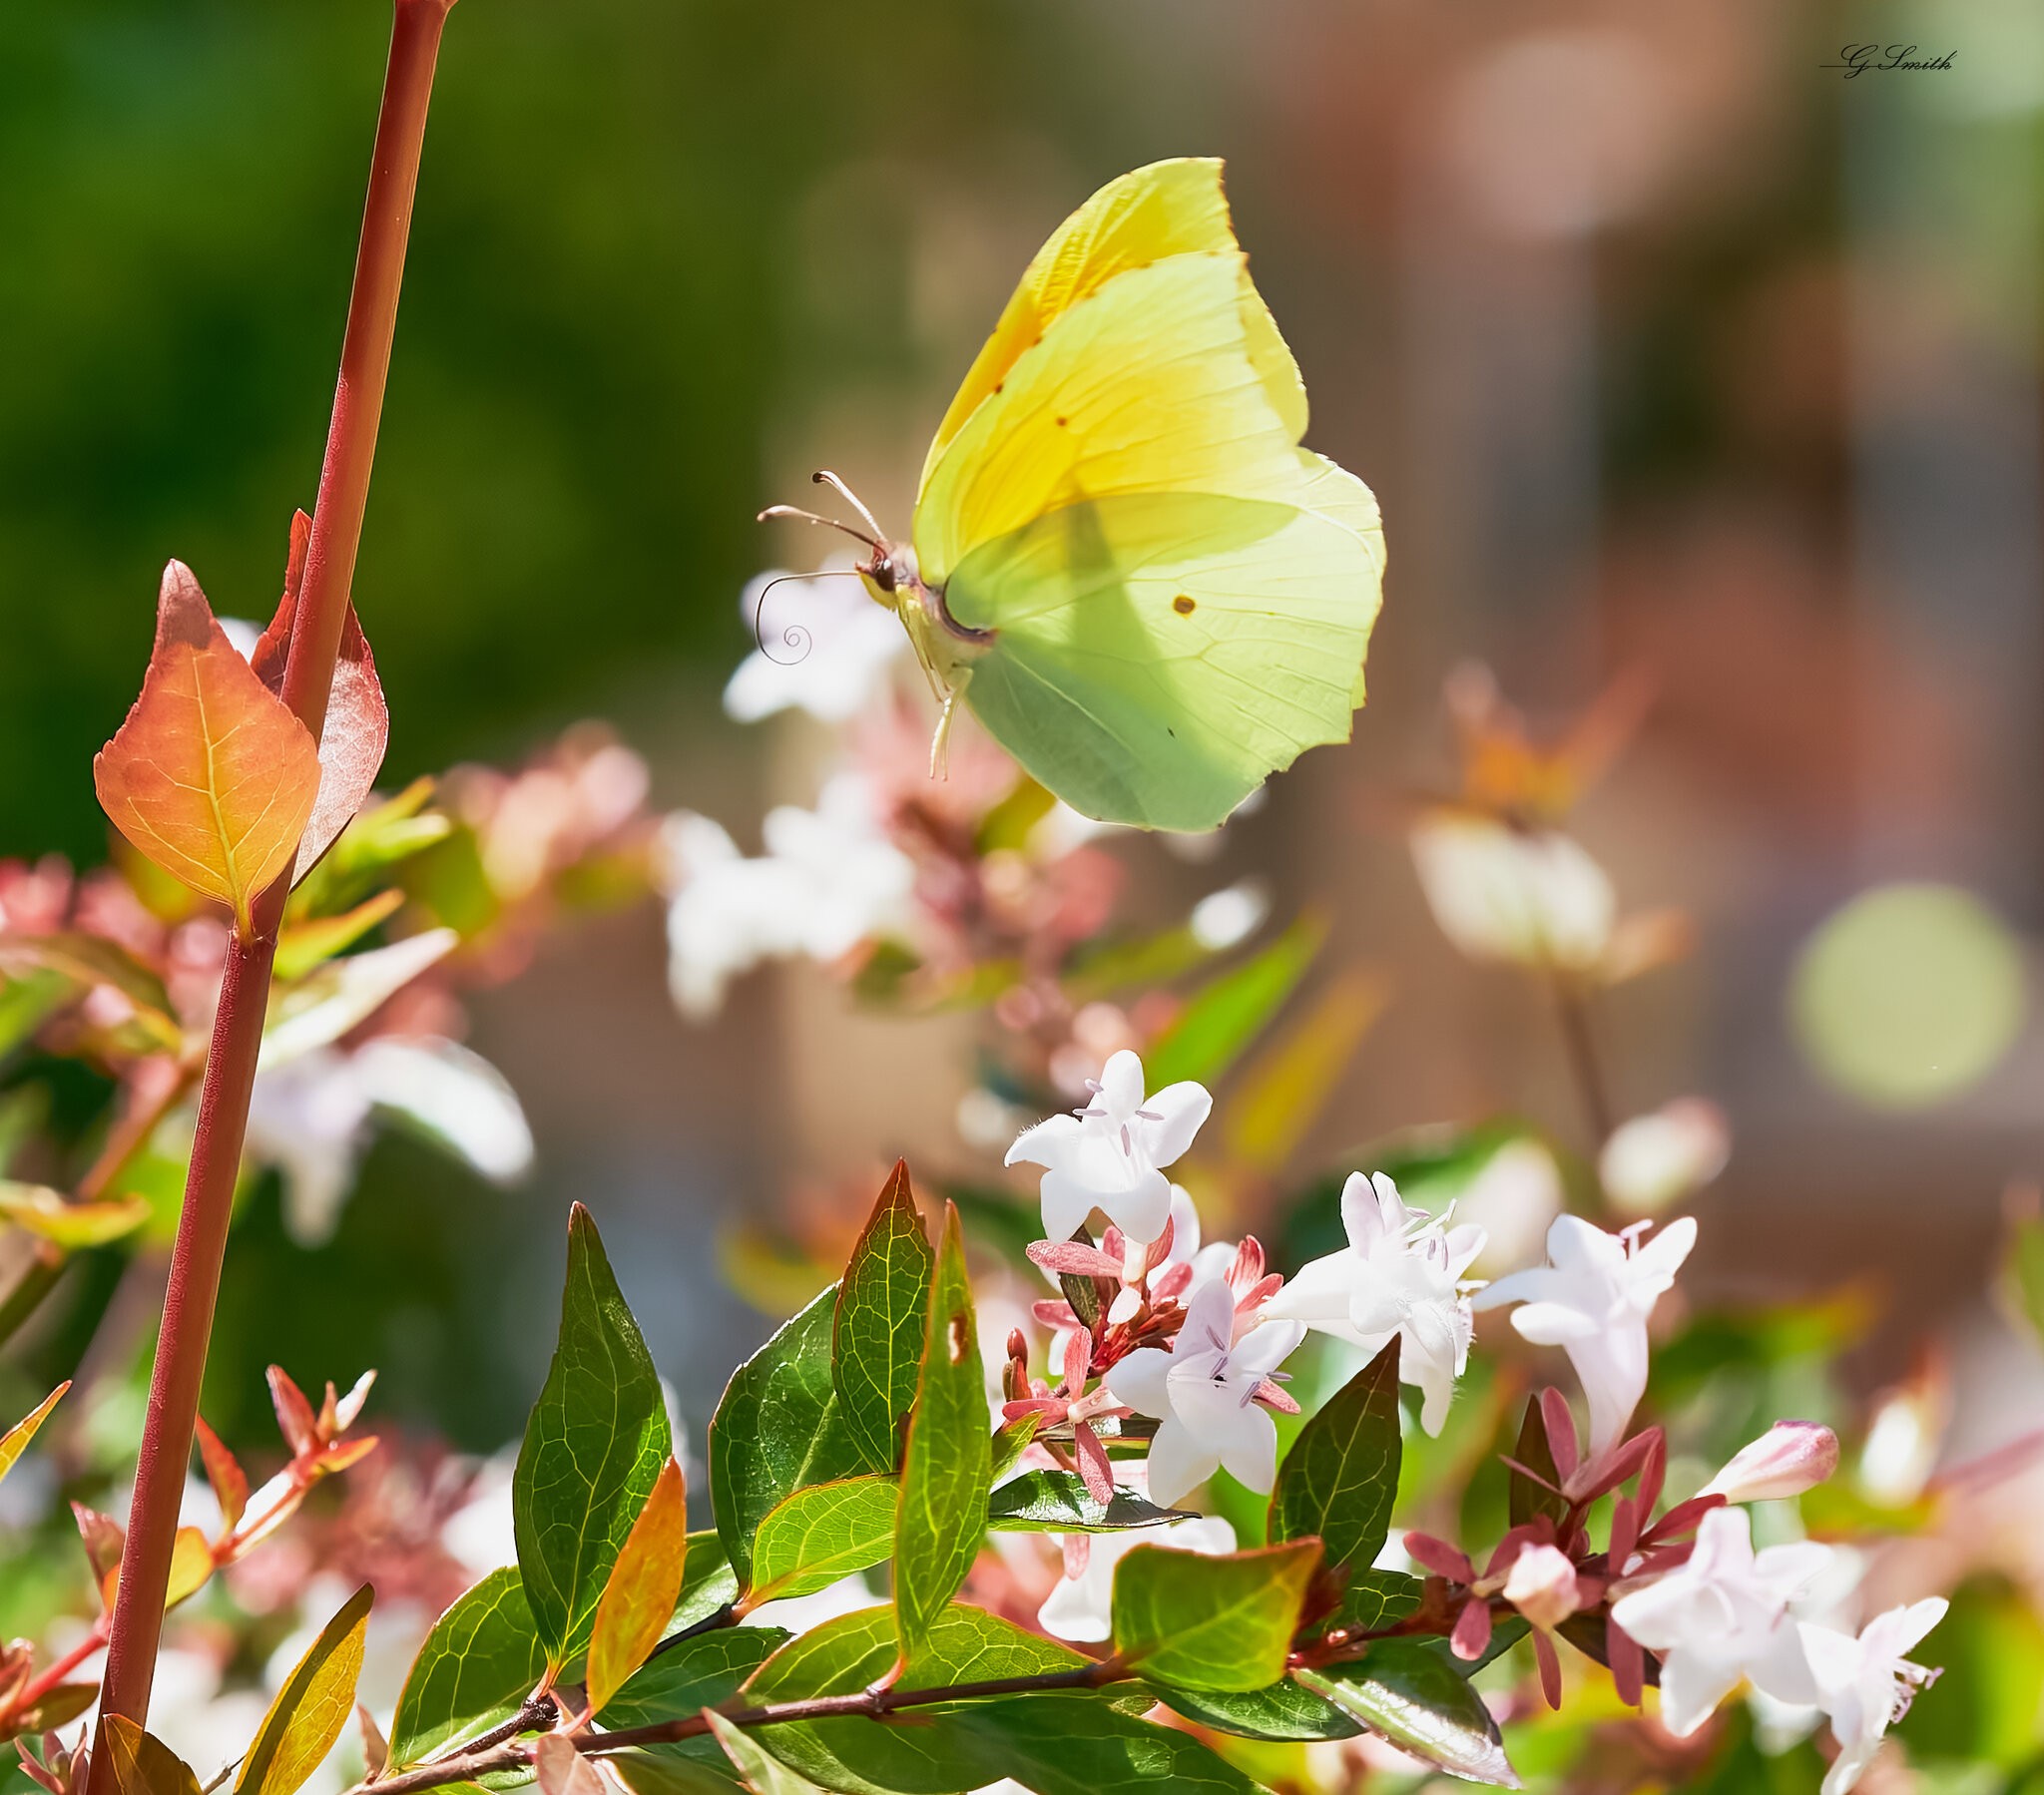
(1205, 1393)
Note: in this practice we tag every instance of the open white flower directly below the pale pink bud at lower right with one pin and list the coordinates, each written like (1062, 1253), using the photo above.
(1724, 1618)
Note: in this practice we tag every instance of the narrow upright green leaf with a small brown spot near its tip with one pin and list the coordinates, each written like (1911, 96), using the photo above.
(947, 1469)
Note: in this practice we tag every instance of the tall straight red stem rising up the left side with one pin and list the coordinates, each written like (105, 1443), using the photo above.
(224, 1101)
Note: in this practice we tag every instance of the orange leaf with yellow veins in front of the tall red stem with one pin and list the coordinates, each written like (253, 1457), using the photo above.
(210, 776)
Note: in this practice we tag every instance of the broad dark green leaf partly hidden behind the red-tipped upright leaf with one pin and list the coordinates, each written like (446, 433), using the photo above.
(778, 1430)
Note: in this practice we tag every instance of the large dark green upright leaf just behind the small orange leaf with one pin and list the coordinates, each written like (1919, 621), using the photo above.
(592, 1455)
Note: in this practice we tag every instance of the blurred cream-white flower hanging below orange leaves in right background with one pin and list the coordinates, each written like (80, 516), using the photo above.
(1505, 894)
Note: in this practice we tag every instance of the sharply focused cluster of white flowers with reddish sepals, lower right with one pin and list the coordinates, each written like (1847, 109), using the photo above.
(1176, 1344)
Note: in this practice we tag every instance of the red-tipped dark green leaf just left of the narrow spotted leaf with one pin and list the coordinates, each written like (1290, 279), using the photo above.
(876, 1342)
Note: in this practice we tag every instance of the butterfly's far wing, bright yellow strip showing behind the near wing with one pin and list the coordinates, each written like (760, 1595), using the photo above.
(1166, 210)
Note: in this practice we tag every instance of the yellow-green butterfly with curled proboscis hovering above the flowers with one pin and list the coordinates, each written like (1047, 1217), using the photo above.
(1121, 557)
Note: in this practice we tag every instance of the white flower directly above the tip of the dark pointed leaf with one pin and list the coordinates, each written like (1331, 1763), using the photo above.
(1399, 1277)
